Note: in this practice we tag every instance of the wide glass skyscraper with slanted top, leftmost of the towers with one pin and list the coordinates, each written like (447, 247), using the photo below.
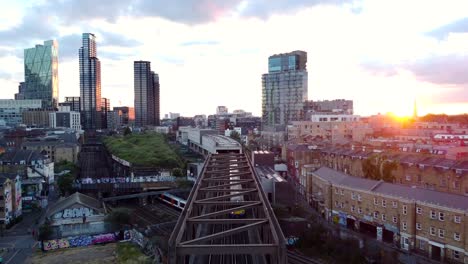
(41, 74)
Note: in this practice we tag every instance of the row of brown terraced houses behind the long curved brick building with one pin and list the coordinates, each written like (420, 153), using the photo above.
(422, 170)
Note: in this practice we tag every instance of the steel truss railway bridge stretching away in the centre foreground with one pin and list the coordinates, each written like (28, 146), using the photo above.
(207, 232)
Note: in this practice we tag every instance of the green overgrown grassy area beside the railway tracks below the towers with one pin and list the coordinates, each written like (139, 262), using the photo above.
(144, 150)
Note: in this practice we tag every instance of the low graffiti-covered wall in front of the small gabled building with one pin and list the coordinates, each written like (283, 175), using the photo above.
(78, 241)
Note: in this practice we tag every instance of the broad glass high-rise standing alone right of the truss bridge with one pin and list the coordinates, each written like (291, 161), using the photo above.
(284, 88)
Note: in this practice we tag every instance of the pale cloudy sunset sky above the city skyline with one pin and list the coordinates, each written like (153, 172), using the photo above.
(384, 55)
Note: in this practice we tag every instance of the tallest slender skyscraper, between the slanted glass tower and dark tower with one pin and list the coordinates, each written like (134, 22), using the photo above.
(90, 83)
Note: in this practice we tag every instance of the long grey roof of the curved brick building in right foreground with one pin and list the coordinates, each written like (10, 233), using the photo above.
(448, 200)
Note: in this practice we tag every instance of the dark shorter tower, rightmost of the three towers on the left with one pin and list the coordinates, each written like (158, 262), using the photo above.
(146, 85)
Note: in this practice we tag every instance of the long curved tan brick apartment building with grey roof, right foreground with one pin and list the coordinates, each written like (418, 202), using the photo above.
(420, 220)
